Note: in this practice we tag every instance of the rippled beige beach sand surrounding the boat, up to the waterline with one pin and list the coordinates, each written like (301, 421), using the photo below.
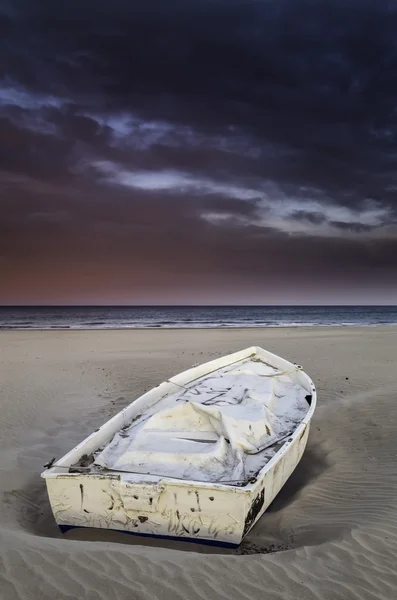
(331, 533)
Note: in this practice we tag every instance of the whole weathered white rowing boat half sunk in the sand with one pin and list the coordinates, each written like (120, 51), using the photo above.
(199, 457)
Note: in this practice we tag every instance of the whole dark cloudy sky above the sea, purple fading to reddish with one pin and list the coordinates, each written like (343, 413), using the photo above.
(198, 151)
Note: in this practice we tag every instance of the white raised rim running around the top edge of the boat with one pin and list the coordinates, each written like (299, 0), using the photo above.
(147, 479)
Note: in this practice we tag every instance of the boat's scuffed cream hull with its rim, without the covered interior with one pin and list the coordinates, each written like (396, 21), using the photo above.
(168, 507)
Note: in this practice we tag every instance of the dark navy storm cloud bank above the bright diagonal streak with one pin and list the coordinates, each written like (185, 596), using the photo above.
(314, 78)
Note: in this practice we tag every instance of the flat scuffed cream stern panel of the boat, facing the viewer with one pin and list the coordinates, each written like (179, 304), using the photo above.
(193, 511)
